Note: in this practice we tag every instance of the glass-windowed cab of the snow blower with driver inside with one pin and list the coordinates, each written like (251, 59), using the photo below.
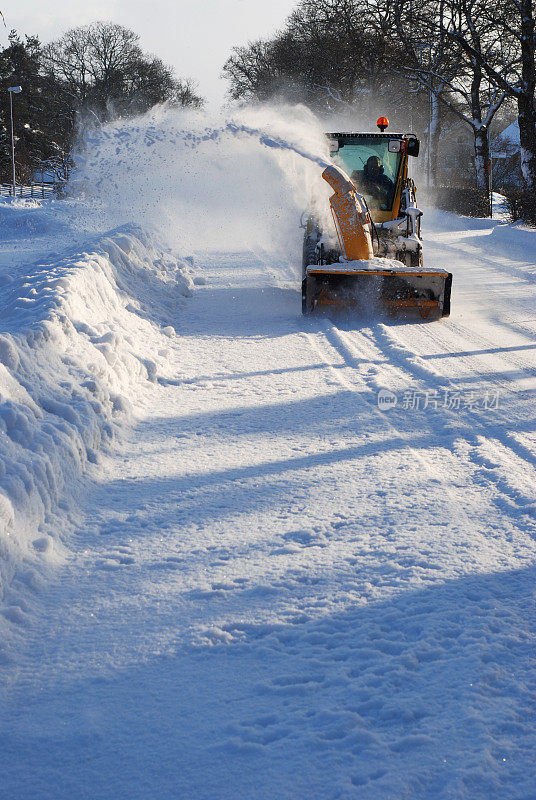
(377, 164)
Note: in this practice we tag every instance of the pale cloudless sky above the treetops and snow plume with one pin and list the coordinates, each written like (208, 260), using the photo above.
(193, 36)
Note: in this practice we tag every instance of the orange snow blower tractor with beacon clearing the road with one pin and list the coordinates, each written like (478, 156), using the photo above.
(373, 258)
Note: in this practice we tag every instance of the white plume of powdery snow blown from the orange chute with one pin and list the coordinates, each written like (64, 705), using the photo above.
(206, 183)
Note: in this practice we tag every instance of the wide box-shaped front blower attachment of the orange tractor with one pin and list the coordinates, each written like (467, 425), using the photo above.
(422, 292)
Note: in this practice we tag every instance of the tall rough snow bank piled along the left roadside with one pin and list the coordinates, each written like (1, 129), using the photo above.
(76, 340)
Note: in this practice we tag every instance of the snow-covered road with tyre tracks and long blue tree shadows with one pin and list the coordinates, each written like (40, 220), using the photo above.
(279, 589)
